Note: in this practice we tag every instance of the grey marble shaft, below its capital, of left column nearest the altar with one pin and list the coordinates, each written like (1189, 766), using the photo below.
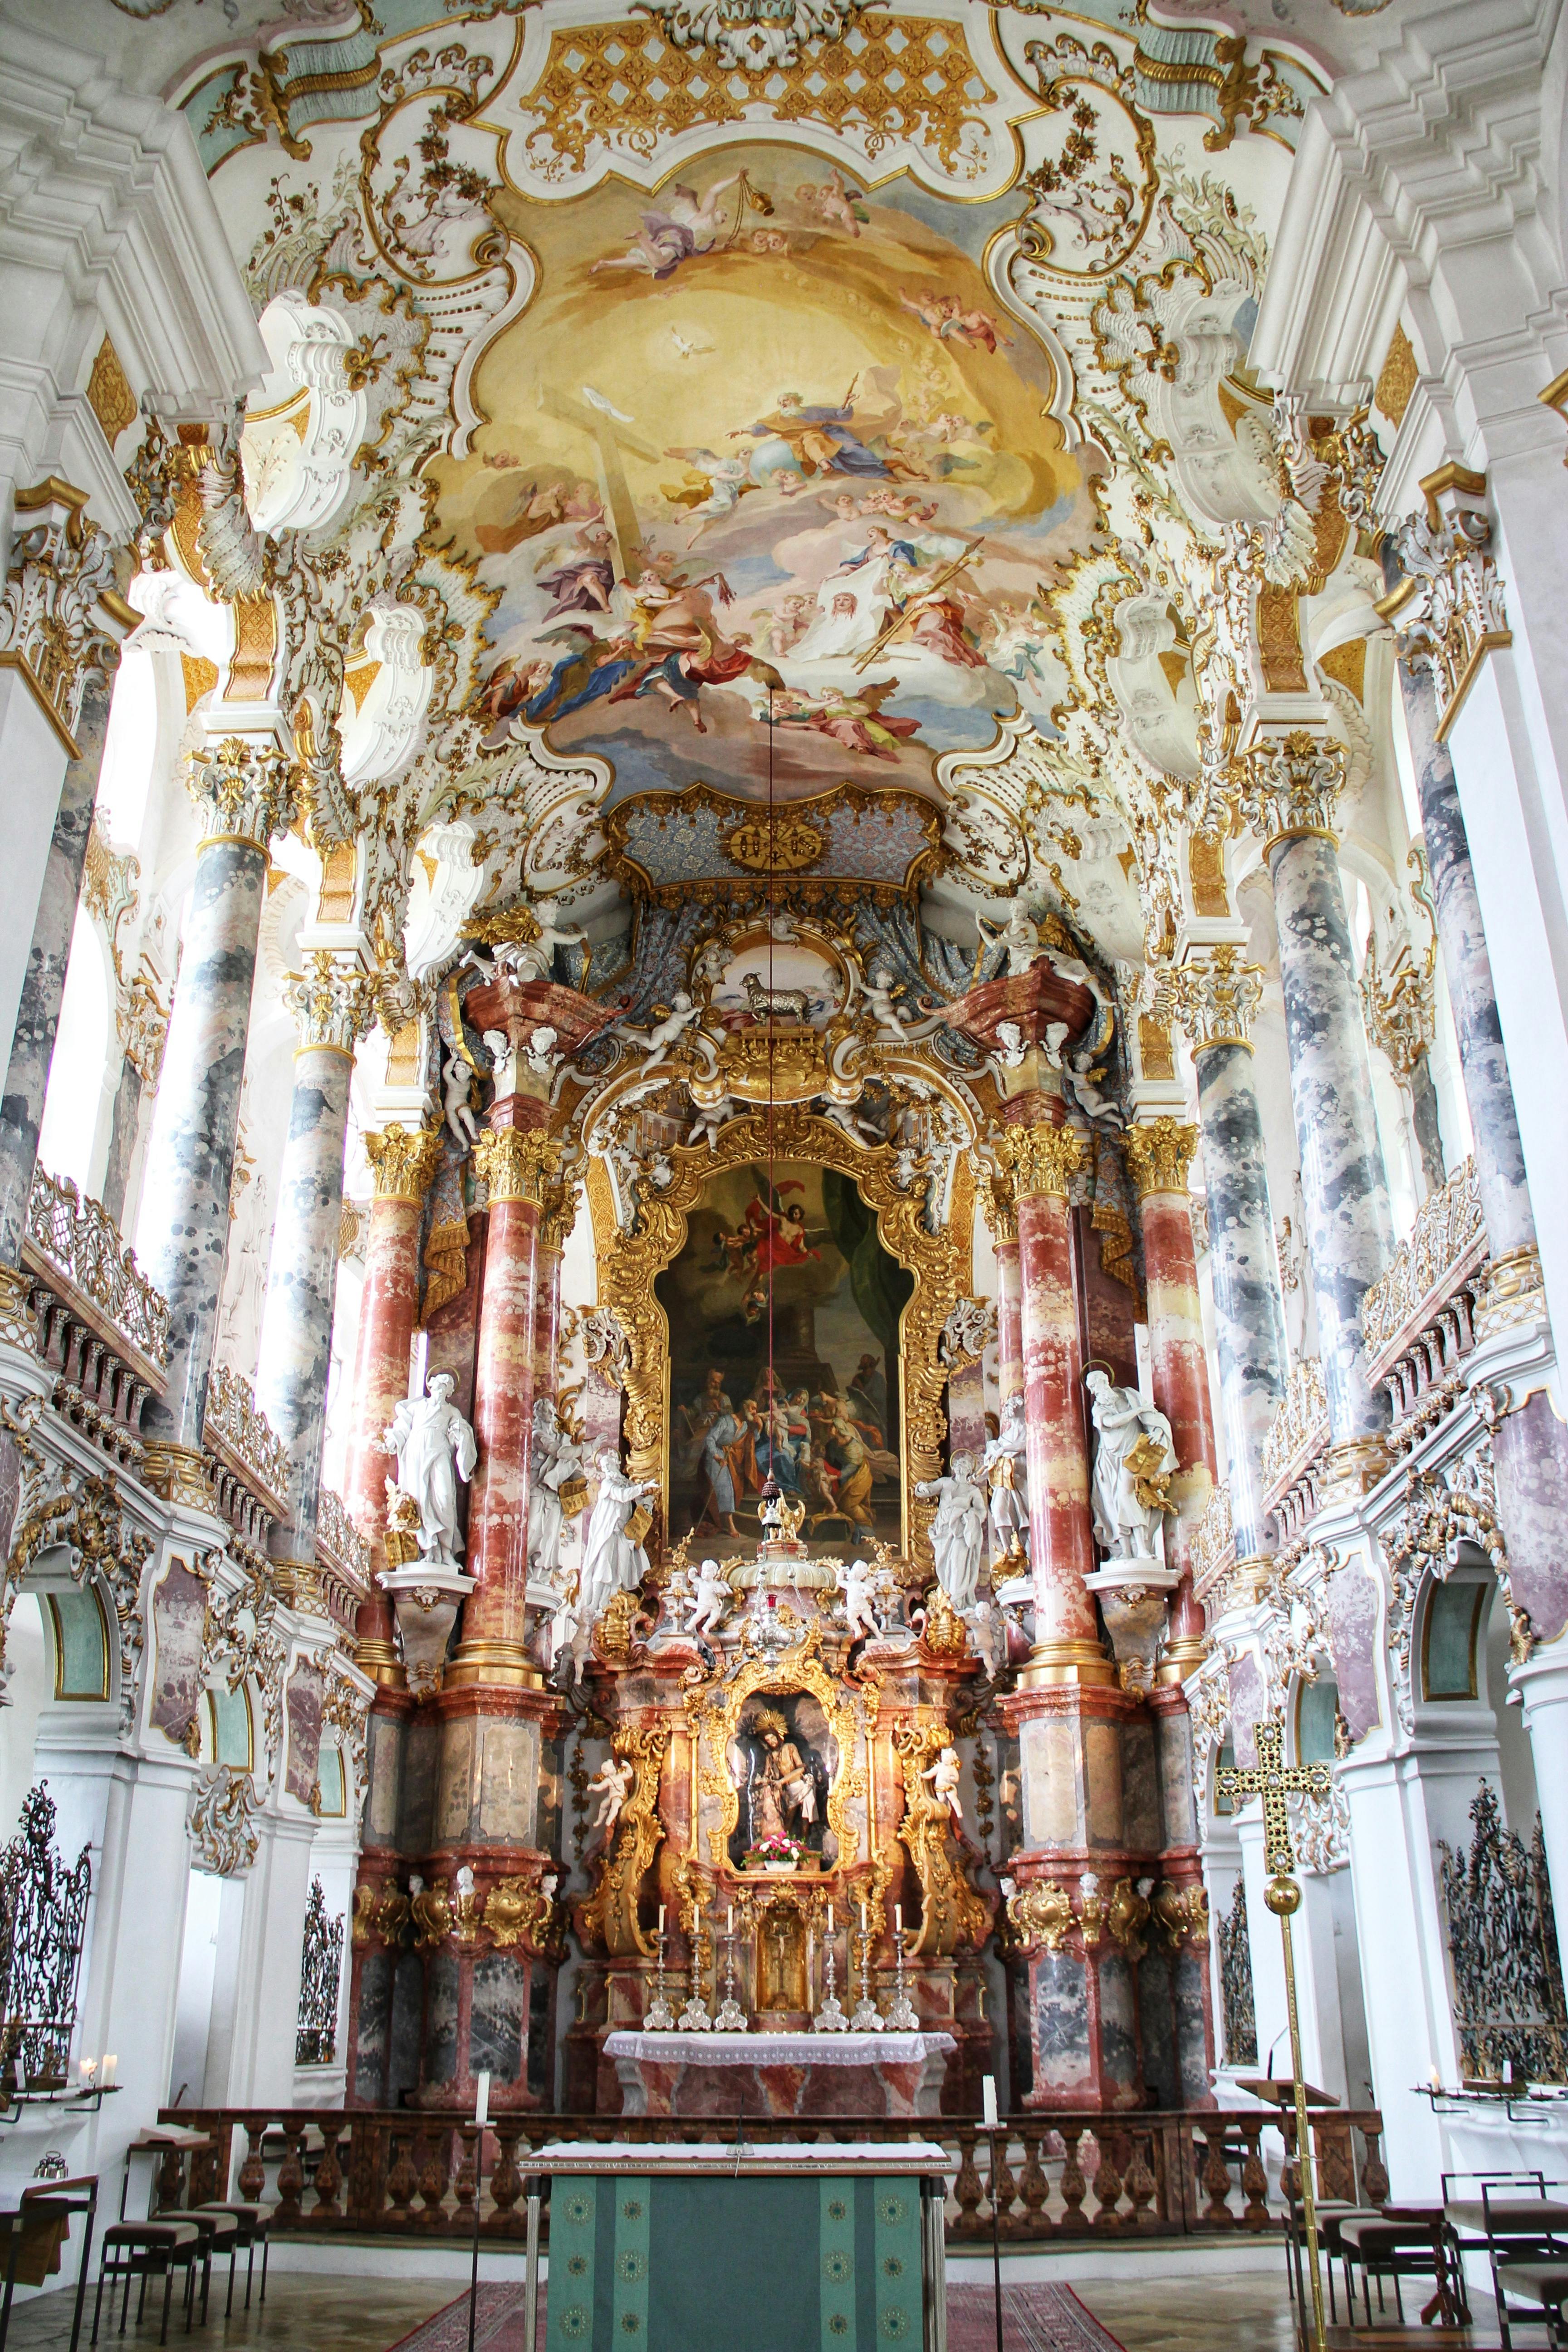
(302, 1283)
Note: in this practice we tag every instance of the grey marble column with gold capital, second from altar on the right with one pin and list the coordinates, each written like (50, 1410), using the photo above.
(1289, 796)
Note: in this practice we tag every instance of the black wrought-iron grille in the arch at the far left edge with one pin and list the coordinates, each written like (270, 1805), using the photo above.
(43, 1923)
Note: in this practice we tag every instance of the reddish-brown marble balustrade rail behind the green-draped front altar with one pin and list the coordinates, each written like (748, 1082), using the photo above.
(408, 2174)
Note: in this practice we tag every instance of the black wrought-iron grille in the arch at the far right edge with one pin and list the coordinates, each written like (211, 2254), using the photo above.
(1508, 1984)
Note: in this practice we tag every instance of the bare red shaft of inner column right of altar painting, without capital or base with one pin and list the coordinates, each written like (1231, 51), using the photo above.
(1061, 1537)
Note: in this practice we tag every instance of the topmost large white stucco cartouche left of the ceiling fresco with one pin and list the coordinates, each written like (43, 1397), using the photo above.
(304, 420)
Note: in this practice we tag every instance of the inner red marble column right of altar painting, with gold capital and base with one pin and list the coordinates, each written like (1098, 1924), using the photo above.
(1061, 1532)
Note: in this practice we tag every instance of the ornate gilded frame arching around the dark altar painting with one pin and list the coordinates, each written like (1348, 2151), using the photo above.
(631, 1262)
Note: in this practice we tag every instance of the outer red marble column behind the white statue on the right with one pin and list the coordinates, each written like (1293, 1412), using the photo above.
(1158, 1161)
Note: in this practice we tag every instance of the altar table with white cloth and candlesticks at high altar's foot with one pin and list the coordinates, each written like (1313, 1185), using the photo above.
(878, 2076)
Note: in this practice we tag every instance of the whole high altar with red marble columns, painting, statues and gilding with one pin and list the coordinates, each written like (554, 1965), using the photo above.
(815, 1718)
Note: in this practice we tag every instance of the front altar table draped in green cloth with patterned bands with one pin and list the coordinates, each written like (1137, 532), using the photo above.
(746, 2250)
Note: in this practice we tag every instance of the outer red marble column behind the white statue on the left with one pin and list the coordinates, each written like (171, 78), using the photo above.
(403, 1168)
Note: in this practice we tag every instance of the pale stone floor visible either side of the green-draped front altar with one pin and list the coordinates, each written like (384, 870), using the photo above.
(370, 2316)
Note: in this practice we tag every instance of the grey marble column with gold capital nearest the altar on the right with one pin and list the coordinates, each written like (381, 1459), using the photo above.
(1217, 998)
